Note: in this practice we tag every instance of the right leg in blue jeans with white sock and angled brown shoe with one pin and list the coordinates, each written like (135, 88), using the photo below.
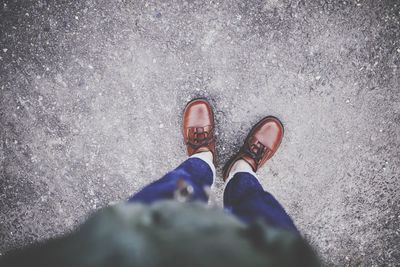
(244, 195)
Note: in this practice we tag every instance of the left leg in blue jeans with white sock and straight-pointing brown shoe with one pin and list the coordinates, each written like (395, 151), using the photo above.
(188, 181)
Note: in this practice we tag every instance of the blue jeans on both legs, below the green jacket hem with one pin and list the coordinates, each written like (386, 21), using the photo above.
(244, 196)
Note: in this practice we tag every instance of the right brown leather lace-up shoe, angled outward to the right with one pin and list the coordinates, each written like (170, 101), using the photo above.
(260, 145)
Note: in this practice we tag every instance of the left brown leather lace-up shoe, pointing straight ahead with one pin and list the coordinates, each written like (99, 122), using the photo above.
(198, 127)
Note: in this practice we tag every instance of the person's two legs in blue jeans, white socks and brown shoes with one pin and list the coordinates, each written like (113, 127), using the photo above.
(243, 196)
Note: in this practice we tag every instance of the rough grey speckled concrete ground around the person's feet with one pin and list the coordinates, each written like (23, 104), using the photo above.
(91, 95)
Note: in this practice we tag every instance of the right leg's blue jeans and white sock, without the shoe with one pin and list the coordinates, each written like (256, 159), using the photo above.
(245, 197)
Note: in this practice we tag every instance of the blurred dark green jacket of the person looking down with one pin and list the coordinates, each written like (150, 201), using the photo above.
(167, 233)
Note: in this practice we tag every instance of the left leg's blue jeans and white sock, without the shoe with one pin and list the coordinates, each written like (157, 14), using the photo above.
(197, 172)
